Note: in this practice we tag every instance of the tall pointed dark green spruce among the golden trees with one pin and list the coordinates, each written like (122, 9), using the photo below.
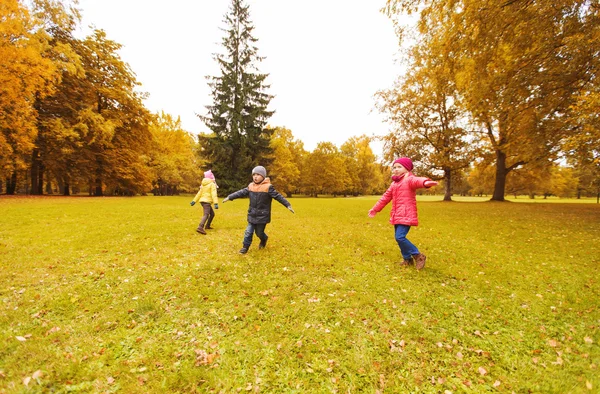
(239, 113)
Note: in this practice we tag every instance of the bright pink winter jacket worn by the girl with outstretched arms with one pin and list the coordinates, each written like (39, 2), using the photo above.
(404, 199)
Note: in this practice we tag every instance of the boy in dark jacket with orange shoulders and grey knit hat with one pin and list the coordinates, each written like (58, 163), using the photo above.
(261, 193)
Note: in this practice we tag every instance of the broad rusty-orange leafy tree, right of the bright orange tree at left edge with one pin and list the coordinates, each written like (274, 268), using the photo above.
(94, 129)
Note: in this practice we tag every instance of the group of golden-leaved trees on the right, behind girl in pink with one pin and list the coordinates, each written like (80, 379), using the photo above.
(498, 94)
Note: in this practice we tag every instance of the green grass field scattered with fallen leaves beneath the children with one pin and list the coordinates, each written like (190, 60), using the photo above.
(103, 295)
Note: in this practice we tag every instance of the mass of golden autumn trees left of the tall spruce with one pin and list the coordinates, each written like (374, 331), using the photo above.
(72, 119)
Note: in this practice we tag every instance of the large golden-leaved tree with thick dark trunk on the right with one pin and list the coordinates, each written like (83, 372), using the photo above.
(519, 66)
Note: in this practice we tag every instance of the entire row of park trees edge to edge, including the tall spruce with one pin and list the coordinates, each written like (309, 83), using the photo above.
(495, 96)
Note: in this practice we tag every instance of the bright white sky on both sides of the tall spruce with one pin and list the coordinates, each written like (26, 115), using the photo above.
(325, 59)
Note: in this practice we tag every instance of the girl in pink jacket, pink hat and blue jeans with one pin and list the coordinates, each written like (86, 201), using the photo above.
(402, 193)
